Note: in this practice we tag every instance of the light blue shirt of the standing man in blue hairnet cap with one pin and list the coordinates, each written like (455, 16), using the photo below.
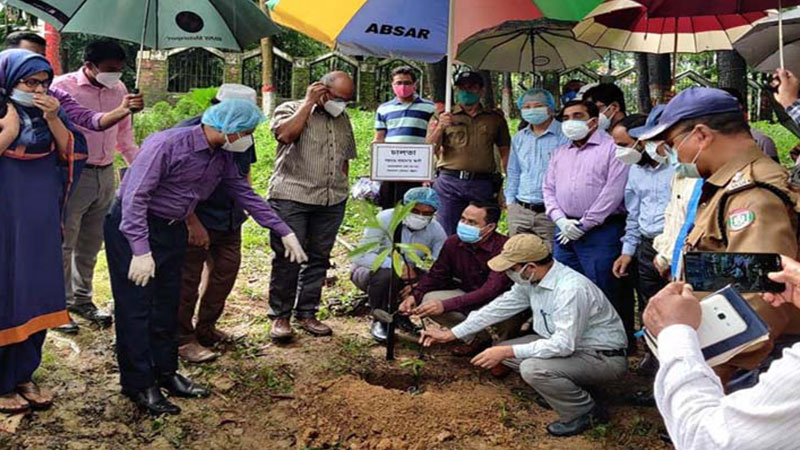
(527, 164)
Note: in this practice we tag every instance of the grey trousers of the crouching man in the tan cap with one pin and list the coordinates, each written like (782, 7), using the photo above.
(561, 381)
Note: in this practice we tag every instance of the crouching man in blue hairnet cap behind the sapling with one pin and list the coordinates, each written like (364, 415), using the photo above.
(418, 227)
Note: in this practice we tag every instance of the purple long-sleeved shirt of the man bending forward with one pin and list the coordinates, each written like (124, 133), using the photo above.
(174, 170)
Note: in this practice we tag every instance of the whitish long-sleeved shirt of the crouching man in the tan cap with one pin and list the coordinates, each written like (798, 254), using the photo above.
(569, 312)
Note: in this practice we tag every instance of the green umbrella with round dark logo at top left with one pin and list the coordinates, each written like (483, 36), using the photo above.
(158, 24)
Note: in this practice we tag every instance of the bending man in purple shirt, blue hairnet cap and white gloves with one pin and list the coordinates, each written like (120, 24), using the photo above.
(146, 238)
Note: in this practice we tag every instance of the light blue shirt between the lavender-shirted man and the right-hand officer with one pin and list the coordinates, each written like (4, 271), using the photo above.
(647, 193)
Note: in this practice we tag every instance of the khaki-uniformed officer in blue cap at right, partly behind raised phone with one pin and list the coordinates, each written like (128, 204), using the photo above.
(746, 204)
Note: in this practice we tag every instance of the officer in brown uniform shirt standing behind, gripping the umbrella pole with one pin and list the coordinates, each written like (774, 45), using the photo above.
(465, 141)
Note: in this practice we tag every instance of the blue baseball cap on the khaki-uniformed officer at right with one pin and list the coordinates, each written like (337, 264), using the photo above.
(689, 104)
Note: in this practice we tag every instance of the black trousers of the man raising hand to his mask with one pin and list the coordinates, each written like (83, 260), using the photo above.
(316, 228)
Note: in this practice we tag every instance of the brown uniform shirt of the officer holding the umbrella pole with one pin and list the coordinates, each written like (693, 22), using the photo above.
(469, 143)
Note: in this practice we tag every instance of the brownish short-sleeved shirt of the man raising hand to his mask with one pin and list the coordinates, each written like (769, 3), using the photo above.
(313, 169)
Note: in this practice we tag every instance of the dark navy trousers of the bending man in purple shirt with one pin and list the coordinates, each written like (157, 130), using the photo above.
(146, 318)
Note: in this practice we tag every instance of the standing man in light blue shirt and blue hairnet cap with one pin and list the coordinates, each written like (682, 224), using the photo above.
(531, 149)
